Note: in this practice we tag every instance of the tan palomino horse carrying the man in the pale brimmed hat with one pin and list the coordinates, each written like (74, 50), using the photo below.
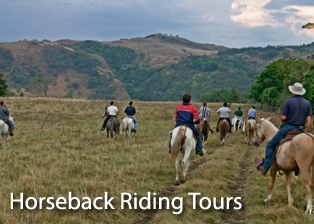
(290, 156)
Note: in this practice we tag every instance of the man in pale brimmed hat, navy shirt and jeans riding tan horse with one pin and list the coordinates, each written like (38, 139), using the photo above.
(295, 112)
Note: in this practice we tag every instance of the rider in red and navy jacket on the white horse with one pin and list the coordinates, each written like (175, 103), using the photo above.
(187, 114)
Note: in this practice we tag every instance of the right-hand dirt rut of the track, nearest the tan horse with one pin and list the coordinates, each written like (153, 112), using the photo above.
(237, 190)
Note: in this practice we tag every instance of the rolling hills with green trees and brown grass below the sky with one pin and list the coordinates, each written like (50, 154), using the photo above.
(153, 68)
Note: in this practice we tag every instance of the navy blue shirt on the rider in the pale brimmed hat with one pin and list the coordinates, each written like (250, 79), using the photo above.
(296, 109)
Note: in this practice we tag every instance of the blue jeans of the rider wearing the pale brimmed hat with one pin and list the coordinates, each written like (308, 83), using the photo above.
(271, 145)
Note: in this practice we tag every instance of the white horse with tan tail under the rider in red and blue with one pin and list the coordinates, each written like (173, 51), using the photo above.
(182, 140)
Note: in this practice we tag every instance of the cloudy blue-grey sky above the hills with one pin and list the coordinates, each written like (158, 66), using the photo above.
(230, 23)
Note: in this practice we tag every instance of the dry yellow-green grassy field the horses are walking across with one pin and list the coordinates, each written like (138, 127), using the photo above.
(57, 149)
